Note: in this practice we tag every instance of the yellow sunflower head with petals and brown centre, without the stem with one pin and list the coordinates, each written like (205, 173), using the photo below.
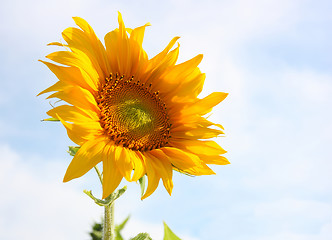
(138, 116)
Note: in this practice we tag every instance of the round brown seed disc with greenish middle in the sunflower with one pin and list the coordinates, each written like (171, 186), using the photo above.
(131, 115)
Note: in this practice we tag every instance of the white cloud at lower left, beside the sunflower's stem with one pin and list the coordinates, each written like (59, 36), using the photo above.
(37, 205)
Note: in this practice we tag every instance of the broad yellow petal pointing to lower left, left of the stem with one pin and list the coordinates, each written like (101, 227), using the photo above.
(88, 156)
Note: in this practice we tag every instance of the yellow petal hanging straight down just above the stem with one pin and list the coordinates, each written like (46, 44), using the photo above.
(111, 174)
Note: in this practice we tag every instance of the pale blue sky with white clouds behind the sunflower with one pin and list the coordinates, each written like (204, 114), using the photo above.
(273, 57)
